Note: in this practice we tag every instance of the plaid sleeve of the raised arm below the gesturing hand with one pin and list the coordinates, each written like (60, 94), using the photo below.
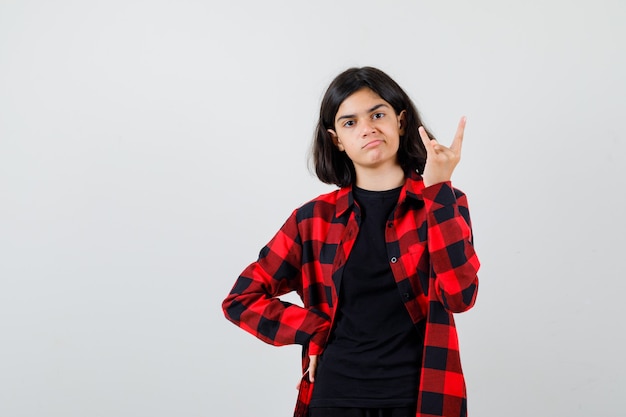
(451, 247)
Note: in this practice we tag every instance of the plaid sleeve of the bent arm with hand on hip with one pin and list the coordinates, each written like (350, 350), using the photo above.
(253, 302)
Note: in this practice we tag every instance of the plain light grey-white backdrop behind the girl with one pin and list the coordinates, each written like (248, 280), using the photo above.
(149, 149)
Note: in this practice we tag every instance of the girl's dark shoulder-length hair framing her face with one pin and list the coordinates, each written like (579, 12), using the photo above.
(333, 166)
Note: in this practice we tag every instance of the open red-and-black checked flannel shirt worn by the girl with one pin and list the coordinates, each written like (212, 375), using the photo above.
(431, 255)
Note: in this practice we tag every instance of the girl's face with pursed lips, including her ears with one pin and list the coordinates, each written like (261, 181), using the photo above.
(368, 130)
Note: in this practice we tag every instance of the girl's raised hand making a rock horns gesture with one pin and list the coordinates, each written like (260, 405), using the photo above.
(440, 160)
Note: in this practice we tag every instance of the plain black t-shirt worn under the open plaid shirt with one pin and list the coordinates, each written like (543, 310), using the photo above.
(373, 356)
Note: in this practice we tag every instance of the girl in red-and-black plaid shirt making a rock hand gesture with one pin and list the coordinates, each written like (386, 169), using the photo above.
(380, 264)
